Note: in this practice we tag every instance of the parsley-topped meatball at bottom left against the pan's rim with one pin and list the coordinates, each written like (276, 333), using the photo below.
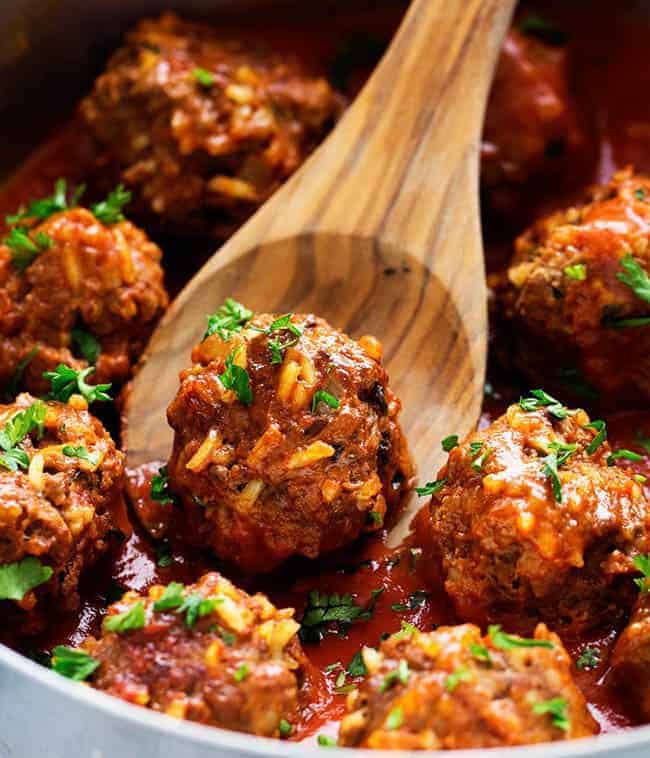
(206, 652)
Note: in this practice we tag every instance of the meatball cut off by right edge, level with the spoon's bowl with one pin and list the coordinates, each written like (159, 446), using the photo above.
(579, 289)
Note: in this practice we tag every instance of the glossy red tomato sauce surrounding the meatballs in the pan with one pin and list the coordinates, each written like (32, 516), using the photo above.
(611, 75)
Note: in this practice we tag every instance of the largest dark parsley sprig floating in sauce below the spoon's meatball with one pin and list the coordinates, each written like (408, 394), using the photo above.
(333, 613)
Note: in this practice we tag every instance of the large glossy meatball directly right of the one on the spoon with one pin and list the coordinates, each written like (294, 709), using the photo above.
(530, 522)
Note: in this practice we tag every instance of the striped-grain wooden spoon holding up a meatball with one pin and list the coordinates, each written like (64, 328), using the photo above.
(379, 233)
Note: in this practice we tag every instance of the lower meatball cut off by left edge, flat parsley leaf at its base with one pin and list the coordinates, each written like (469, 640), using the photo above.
(60, 495)
